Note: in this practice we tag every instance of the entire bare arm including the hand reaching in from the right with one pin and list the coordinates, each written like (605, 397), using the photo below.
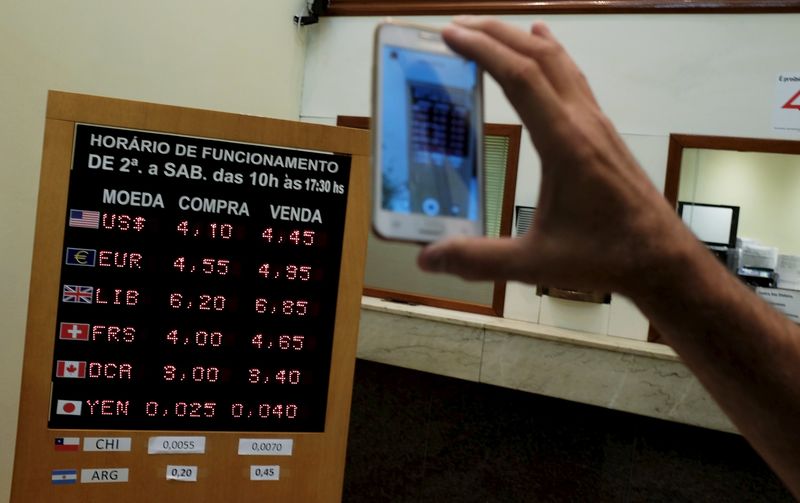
(601, 224)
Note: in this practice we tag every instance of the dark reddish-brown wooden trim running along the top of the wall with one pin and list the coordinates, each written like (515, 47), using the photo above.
(450, 7)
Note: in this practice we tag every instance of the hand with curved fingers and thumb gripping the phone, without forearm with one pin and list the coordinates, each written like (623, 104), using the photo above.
(599, 223)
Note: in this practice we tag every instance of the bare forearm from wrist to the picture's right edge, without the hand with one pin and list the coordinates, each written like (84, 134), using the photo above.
(745, 353)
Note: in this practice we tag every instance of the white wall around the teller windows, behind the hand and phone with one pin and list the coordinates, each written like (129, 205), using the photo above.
(653, 74)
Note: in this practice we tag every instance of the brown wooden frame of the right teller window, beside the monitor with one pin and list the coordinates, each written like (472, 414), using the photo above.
(679, 142)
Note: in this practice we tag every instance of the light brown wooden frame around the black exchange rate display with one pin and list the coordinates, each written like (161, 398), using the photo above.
(315, 471)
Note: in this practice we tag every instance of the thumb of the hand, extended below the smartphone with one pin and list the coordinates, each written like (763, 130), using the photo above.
(475, 258)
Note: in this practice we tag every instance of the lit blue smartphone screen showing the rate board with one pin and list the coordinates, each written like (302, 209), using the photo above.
(428, 143)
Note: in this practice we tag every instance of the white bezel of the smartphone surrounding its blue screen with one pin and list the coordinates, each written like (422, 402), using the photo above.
(413, 226)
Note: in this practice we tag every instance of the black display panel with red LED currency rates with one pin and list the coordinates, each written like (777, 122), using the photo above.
(198, 285)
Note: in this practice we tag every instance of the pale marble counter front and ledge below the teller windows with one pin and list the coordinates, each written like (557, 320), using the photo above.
(613, 372)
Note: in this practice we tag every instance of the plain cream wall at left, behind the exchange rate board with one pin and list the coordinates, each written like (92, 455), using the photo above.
(244, 56)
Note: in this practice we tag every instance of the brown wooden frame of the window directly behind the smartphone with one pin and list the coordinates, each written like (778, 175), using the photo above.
(514, 133)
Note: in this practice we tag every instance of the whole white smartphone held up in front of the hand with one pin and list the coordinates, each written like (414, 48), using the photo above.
(427, 137)
